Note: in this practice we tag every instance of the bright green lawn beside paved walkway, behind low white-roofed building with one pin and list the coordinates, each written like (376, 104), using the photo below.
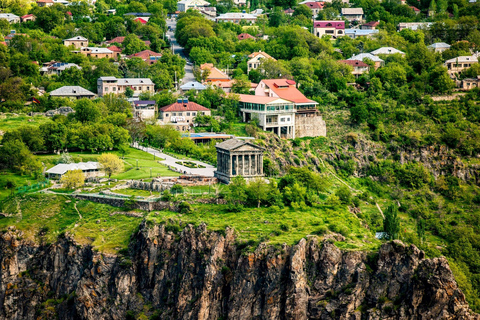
(145, 162)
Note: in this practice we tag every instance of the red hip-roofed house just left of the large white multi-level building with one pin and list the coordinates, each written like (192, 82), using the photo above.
(182, 114)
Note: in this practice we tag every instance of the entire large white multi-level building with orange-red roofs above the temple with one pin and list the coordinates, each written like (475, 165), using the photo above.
(282, 109)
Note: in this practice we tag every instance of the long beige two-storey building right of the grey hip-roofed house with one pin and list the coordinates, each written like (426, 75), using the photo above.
(107, 85)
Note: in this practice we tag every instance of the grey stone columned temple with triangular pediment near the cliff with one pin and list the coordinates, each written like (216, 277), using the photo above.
(238, 158)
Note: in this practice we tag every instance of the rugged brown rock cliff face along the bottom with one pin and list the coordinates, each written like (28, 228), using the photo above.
(203, 275)
